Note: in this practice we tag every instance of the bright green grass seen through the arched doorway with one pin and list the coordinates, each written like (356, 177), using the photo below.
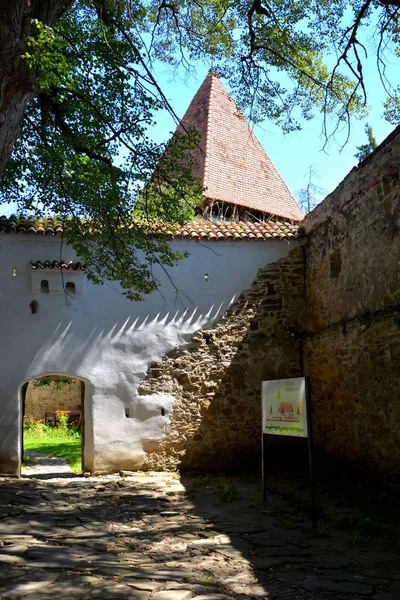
(61, 441)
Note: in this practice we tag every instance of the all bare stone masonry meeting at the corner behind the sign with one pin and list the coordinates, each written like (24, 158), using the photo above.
(350, 335)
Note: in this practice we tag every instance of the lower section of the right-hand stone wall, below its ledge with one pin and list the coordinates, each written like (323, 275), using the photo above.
(354, 372)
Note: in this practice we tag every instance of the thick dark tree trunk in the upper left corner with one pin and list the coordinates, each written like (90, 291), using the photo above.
(18, 84)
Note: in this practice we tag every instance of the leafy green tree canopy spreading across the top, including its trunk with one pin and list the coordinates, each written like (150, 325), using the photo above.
(78, 95)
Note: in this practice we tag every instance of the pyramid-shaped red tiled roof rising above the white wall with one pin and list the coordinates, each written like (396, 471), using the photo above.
(230, 161)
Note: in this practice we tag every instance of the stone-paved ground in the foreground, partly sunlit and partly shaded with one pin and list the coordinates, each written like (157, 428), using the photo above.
(153, 537)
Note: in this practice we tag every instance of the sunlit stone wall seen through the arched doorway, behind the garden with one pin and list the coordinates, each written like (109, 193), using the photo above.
(39, 400)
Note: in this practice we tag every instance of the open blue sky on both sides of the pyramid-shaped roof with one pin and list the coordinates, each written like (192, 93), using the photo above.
(294, 153)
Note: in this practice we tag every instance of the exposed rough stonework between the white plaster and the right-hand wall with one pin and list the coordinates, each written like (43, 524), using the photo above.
(216, 422)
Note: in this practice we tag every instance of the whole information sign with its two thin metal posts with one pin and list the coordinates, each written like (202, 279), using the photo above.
(286, 411)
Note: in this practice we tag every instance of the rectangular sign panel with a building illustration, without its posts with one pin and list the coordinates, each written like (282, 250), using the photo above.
(284, 410)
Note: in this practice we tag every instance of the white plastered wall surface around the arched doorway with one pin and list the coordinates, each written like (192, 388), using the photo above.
(109, 341)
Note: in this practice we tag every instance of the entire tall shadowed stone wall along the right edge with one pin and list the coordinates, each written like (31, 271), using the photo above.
(352, 349)
